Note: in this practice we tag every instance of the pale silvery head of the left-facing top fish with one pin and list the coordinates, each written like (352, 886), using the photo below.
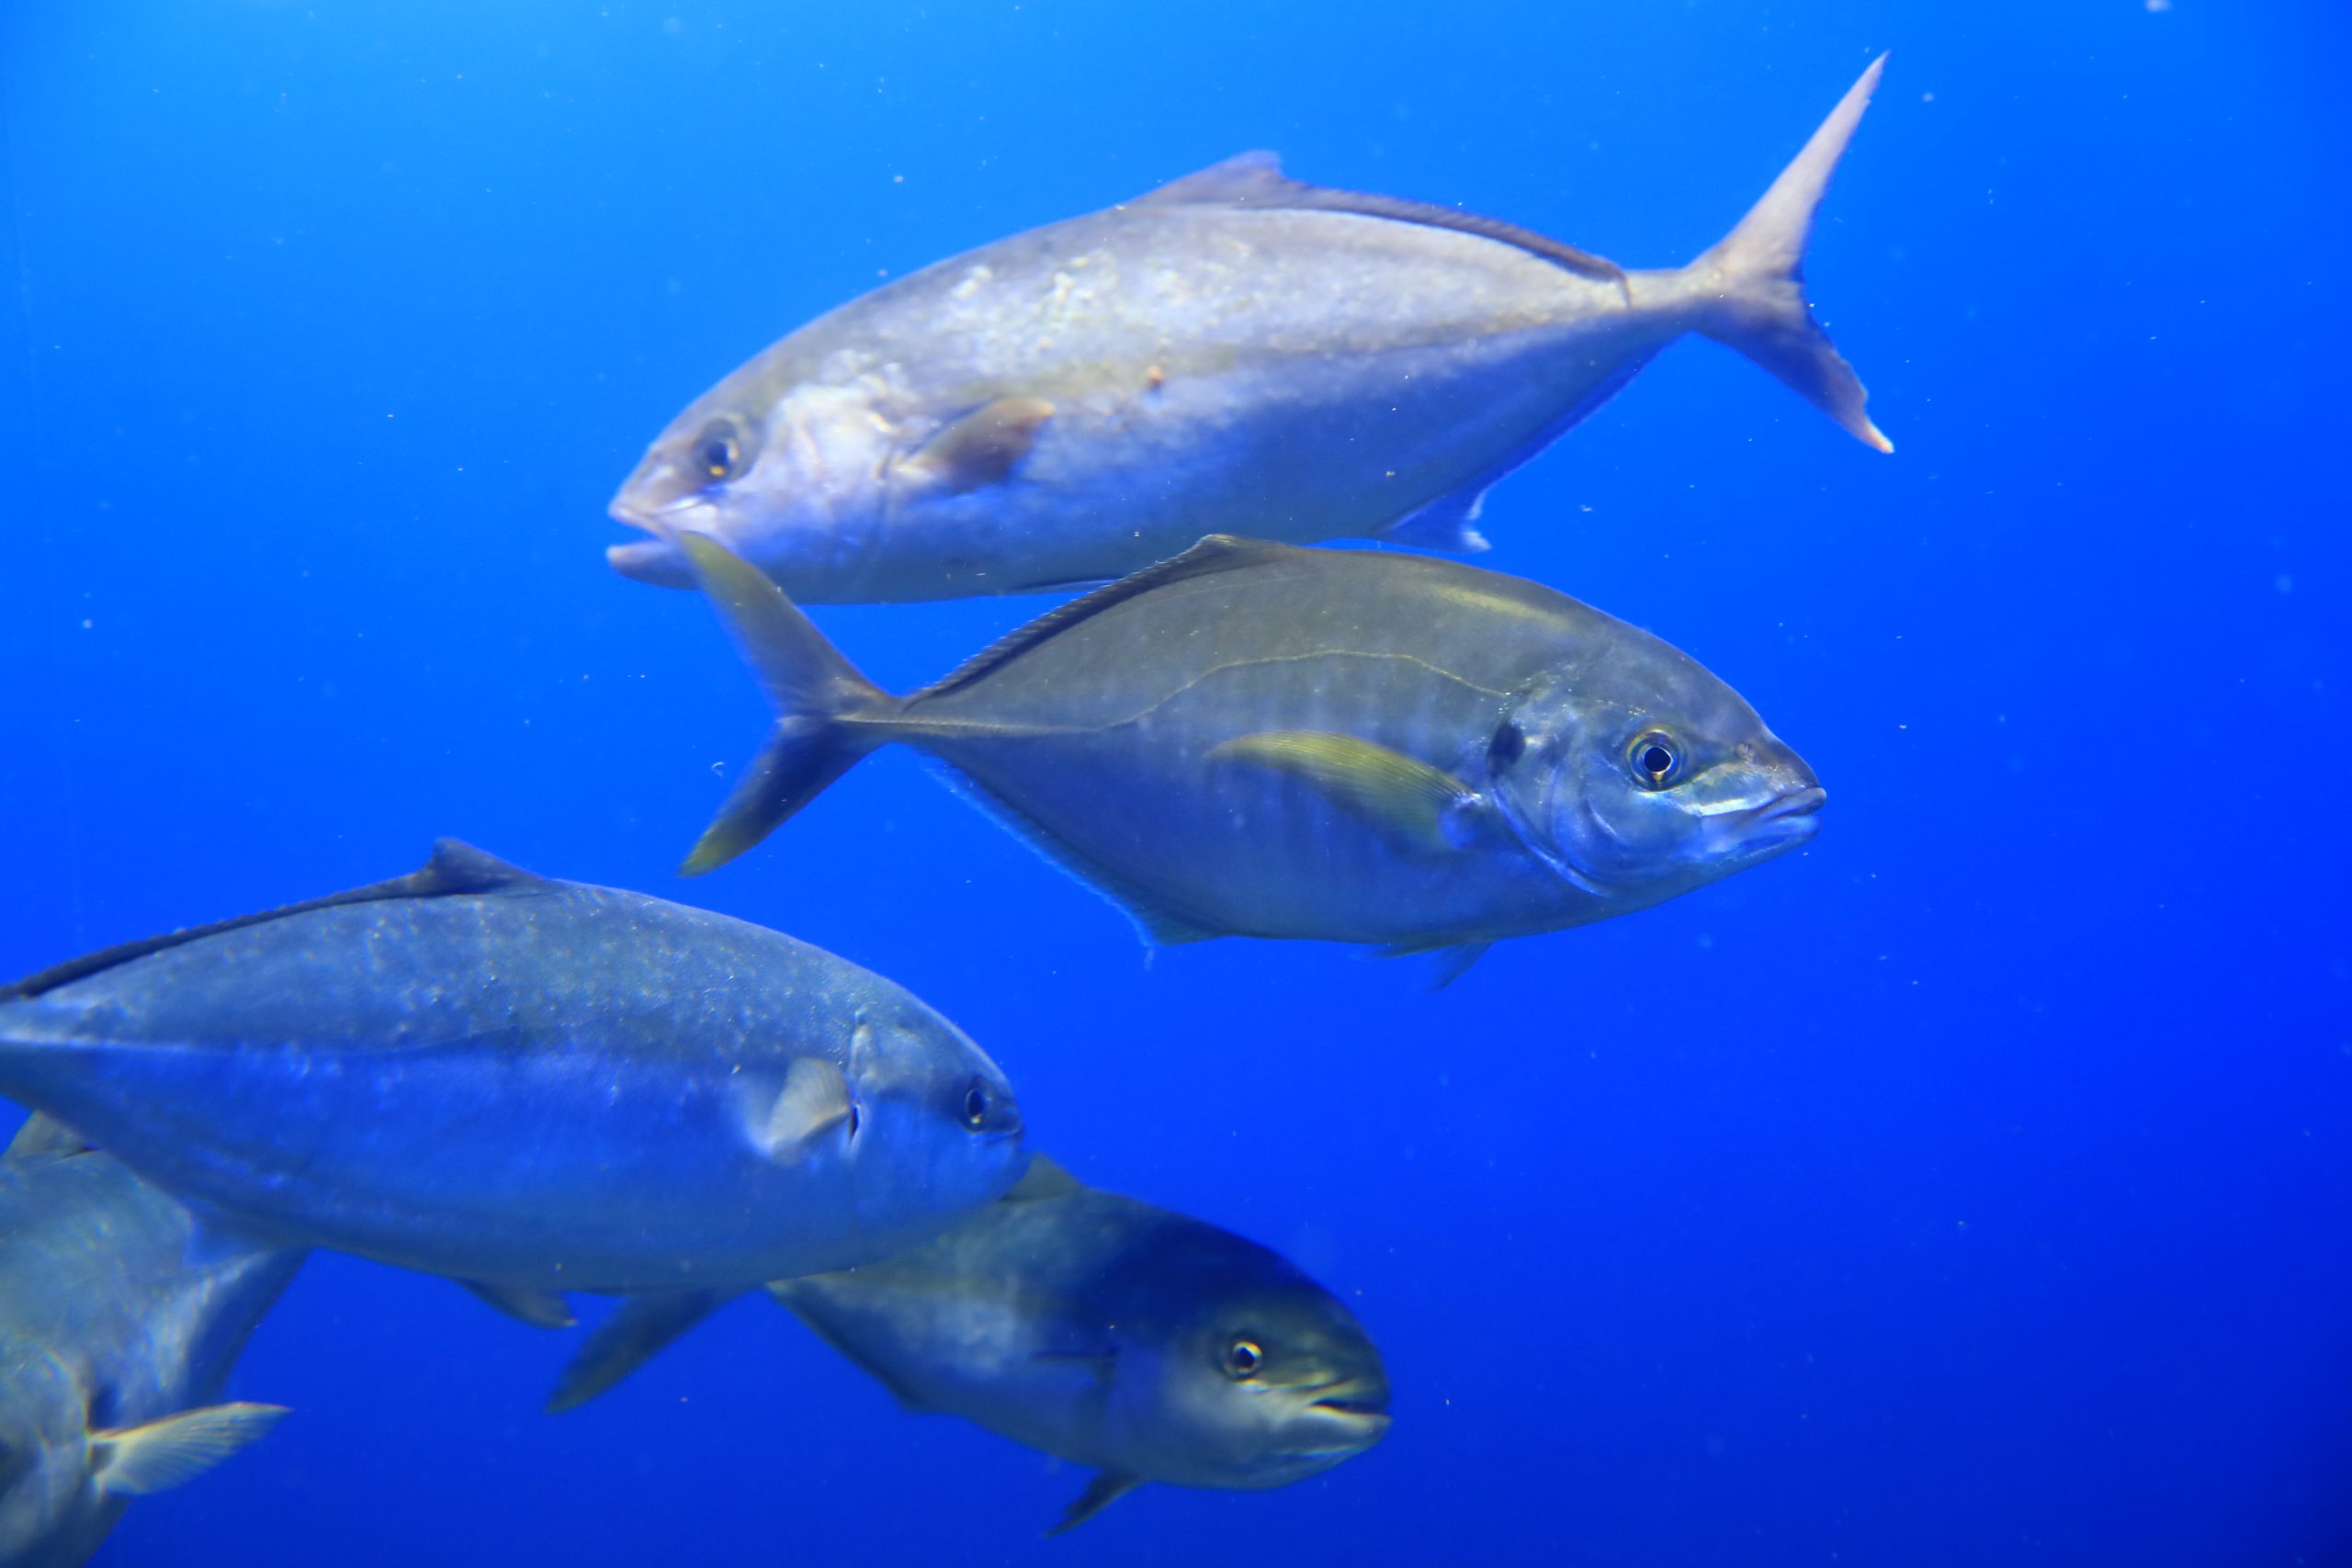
(777, 476)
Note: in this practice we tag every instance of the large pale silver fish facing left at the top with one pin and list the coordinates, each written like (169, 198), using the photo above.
(1231, 354)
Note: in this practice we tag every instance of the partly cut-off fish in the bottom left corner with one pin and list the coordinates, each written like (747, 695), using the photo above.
(121, 1318)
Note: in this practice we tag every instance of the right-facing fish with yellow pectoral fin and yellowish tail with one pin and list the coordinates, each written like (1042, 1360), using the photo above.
(1351, 746)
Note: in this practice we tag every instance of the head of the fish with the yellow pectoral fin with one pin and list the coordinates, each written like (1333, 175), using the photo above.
(1638, 775)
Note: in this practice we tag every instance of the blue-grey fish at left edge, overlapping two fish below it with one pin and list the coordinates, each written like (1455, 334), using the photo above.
(521, 1083)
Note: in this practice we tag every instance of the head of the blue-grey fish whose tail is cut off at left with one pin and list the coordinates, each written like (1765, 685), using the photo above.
(935, 1127)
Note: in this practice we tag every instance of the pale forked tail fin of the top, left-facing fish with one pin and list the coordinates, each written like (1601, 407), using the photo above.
(1758, 279)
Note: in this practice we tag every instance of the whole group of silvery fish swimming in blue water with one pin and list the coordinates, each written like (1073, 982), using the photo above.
(540, 1087)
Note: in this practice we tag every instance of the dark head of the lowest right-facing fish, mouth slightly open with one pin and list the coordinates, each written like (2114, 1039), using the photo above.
(1257, 1386)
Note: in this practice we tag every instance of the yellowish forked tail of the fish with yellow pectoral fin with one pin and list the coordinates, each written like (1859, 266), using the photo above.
(815, 690)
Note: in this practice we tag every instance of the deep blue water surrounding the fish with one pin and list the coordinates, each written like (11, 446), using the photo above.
(1970, 1188)
